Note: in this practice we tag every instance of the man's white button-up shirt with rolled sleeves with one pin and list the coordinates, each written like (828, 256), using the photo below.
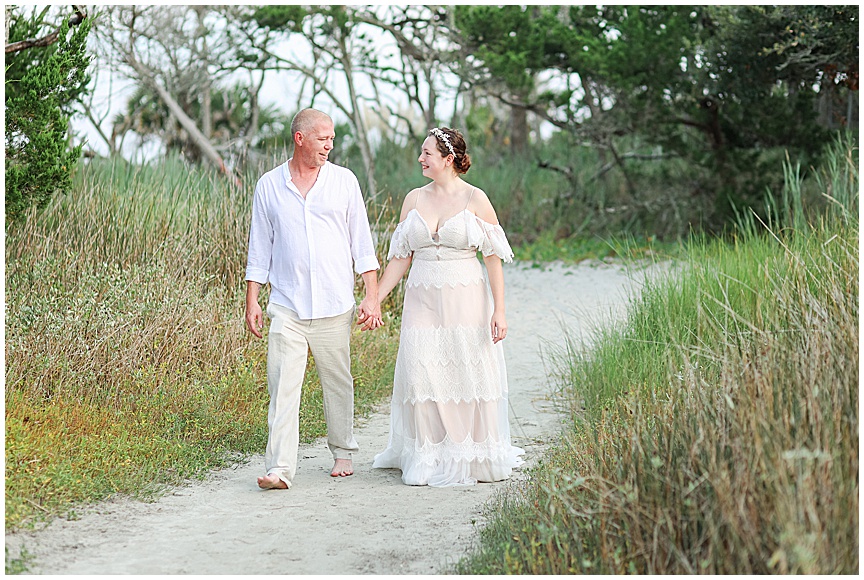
(305, 247)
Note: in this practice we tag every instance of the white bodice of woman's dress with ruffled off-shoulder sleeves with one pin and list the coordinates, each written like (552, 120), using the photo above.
(458, 238)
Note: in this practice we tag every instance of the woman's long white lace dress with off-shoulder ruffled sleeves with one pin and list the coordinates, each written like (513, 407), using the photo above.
(448, 423)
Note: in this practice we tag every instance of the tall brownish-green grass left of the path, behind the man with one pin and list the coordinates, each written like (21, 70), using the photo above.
(128, 365)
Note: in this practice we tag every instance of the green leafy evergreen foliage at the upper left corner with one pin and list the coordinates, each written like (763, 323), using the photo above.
(41, 84)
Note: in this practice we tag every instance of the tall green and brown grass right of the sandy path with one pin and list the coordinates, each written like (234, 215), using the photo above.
(716, 430)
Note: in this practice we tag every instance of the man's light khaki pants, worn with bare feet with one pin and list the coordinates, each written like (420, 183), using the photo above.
(289, 340)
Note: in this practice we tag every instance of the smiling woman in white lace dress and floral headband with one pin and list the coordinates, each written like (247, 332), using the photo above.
(449, 409)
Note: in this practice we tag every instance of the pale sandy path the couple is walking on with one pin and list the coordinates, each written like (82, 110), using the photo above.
(369, 523)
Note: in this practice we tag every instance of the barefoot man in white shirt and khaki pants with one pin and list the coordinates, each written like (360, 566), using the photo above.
(308, 225)
